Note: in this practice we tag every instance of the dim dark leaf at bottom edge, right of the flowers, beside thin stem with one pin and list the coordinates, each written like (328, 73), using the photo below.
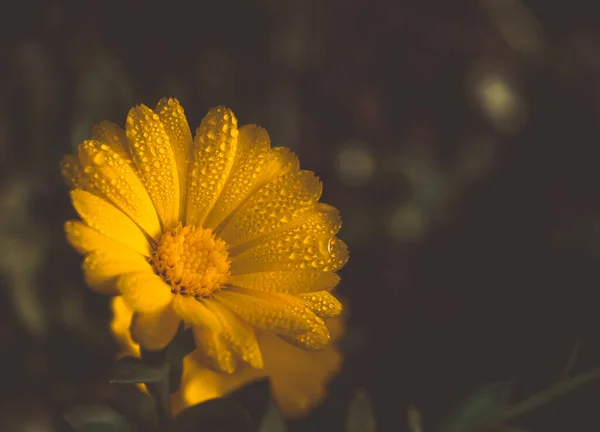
(486, 403)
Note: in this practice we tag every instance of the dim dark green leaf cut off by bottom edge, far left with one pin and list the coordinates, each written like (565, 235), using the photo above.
(97, 418)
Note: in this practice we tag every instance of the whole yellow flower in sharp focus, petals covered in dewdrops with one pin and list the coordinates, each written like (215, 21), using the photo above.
(220, 231)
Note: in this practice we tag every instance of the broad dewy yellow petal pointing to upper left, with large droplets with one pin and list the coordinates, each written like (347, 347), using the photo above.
(112, 175)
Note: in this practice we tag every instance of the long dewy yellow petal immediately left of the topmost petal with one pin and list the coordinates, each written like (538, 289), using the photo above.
(153, 154)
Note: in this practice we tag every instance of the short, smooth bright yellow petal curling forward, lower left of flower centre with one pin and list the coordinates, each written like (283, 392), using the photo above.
(144, 291)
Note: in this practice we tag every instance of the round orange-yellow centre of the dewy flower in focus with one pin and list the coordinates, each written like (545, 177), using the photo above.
(192, 260)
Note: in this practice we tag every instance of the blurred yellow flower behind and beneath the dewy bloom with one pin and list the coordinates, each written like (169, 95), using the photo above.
(298, 377)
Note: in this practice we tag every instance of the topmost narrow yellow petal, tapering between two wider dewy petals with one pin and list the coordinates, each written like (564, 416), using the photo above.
(173, 118)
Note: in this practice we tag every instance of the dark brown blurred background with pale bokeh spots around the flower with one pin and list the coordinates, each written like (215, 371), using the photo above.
(458, 139)
